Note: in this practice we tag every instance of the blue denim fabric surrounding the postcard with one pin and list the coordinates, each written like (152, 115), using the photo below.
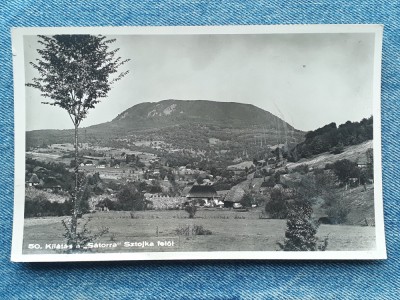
(204, 279)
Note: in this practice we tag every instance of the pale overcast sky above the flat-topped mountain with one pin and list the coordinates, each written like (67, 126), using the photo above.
(308, 80)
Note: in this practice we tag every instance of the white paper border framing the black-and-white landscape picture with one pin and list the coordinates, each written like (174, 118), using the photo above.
(19, 158)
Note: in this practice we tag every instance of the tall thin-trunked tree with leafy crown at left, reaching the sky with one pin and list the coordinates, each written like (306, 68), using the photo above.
(75, 72)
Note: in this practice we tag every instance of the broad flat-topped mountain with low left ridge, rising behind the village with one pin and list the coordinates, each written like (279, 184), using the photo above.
(183, 124)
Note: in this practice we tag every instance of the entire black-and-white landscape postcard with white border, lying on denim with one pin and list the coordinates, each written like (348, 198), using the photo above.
(161, 143)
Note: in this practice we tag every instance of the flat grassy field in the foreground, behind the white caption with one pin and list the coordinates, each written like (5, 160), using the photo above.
(230, 231)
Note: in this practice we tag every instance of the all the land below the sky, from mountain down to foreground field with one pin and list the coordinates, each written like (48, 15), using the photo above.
(236, 165)
